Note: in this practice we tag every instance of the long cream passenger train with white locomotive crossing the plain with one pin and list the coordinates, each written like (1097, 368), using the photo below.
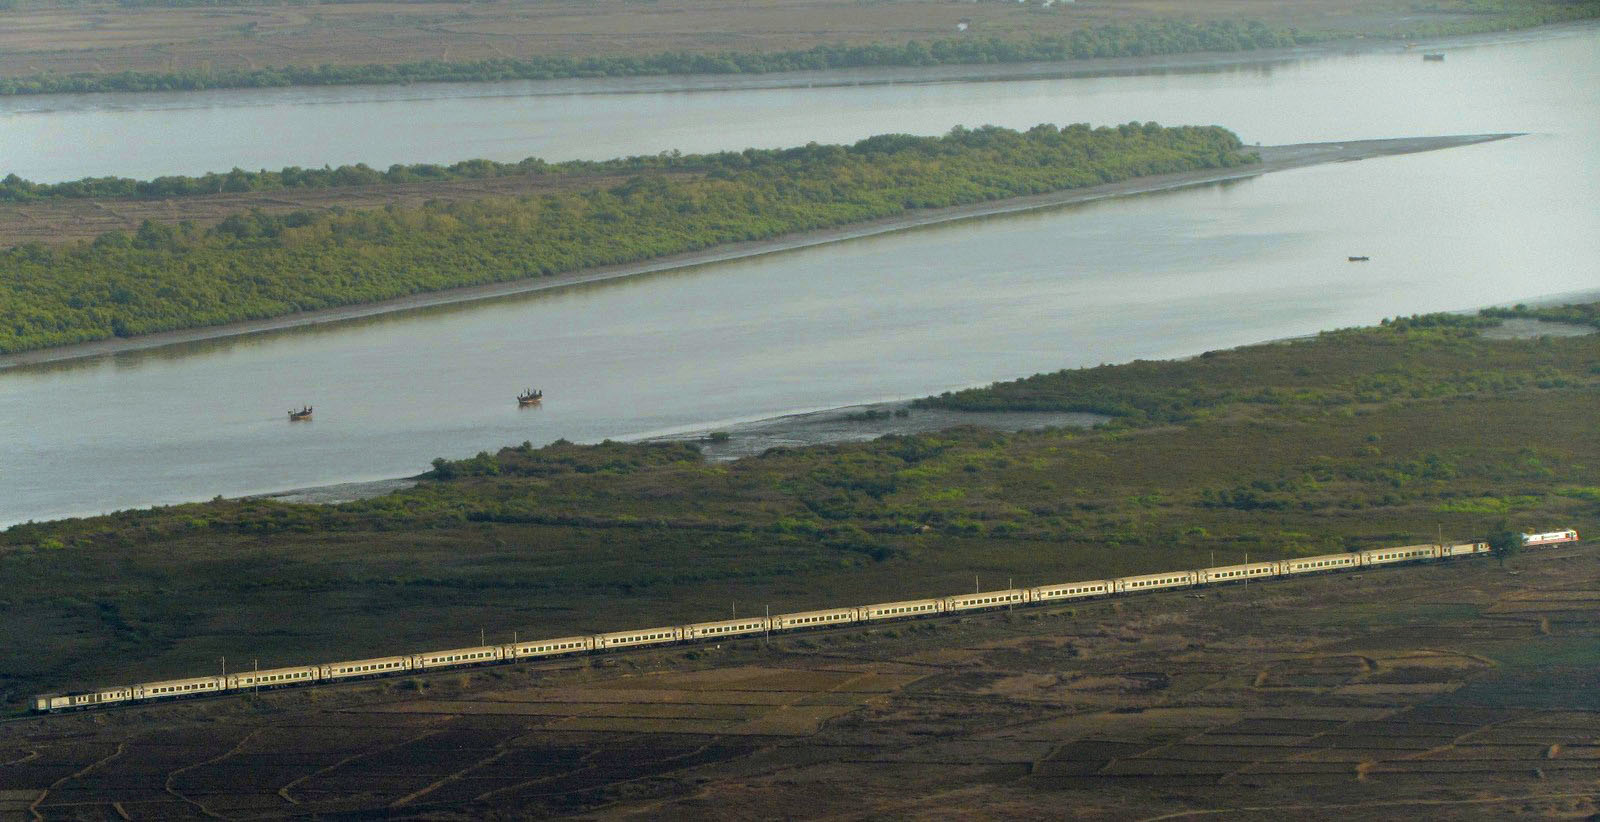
(516, 652)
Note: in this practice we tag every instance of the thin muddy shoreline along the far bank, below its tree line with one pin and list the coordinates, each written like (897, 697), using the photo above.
(959, 73)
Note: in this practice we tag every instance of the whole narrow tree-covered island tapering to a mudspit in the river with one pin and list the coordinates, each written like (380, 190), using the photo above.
(244, 261)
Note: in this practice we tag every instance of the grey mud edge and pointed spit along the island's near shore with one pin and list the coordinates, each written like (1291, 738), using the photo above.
(1273, 159)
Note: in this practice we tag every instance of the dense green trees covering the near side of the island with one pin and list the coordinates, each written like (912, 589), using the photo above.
(257, 266)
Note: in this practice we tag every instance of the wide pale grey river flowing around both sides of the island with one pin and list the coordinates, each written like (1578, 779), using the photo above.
(895, 316)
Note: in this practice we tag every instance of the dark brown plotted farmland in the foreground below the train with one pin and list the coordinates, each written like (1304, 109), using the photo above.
(884, 725)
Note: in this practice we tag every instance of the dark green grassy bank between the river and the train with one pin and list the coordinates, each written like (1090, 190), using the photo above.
(1354, 439)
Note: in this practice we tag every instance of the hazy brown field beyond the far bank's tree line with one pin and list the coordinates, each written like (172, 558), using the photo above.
(105, 38)
